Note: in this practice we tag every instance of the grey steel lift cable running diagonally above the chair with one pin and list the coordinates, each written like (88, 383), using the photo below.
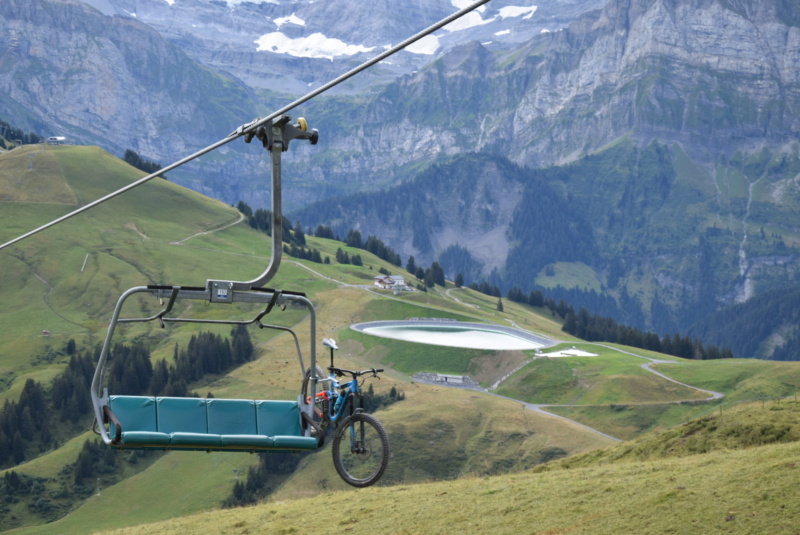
(250, 127)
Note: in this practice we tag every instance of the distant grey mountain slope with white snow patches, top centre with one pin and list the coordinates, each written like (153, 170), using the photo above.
(296, 45)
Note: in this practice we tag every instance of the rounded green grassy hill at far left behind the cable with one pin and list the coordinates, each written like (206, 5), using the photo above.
(66, 281)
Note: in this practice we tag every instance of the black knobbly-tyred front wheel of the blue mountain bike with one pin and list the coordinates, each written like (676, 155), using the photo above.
(360, 450)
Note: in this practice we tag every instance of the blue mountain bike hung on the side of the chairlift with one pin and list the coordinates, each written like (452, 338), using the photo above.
(360, 443)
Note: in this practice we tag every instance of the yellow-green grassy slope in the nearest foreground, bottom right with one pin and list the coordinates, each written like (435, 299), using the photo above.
(738, 489)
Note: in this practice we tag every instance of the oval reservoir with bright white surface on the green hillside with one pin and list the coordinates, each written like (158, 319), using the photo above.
(455, 334)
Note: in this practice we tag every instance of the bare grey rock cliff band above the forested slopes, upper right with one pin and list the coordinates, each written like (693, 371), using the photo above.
(707, 75)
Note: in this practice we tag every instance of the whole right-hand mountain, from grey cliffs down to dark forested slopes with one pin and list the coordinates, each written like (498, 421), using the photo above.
(652, 124)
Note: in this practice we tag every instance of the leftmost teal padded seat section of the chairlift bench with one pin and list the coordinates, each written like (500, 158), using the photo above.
(137, 419)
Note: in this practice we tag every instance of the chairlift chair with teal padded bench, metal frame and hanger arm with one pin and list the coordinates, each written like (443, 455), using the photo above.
(175, 423)
